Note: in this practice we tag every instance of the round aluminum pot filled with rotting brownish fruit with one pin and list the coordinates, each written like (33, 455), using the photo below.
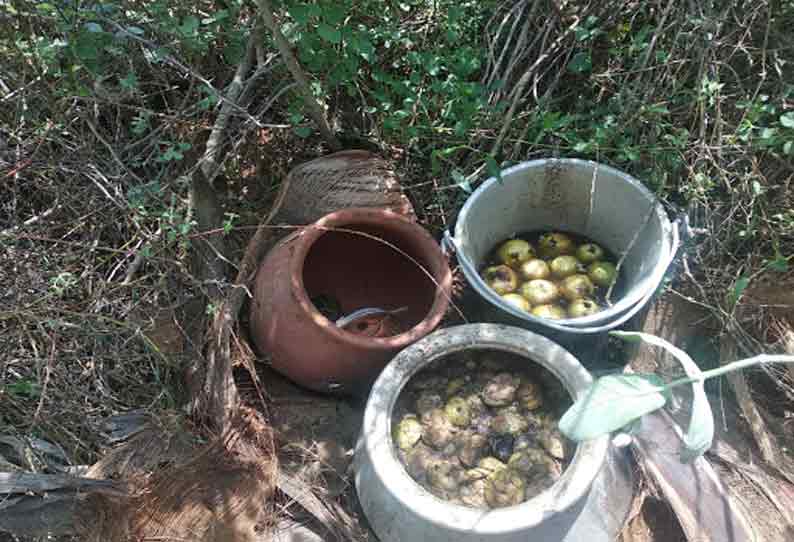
(589, 502)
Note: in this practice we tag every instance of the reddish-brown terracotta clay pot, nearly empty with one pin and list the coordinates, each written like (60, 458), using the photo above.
(342, 260)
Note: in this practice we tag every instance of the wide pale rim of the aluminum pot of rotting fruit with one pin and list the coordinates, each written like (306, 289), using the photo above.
(378, 444)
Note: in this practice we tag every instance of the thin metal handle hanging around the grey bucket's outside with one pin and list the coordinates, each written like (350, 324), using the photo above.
(679, 231)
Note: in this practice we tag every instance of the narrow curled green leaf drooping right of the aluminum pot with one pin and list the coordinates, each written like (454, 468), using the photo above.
(700, 432)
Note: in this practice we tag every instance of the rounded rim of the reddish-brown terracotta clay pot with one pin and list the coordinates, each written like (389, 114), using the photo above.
(375, 217)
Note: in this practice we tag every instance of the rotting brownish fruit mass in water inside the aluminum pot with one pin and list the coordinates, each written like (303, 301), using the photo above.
(493, 442)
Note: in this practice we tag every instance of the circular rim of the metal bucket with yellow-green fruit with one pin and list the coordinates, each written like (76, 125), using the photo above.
(612, 313)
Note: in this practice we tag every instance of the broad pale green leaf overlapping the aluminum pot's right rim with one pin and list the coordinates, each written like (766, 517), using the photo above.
(612, 402)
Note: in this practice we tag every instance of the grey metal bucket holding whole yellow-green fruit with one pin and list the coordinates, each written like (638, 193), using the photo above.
(579, 196)
